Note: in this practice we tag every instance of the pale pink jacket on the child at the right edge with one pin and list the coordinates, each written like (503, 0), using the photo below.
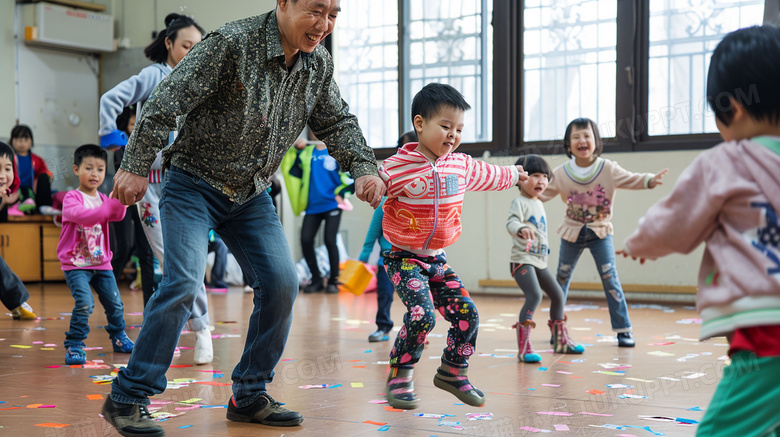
(729, 198)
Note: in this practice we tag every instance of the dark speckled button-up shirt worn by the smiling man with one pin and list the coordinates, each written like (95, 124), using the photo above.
(242, 109)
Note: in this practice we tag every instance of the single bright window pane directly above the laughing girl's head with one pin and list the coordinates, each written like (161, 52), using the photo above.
(569, 64)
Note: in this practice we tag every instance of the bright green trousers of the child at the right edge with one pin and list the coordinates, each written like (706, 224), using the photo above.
(746, 402)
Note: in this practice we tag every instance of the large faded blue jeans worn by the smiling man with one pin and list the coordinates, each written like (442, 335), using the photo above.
(189, 207)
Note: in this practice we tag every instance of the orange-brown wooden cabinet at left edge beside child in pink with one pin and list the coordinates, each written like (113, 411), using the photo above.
(29, 246)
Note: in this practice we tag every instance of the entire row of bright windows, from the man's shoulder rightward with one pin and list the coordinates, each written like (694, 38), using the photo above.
(638, 67)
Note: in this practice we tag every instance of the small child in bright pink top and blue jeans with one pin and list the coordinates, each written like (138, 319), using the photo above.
(85, 254)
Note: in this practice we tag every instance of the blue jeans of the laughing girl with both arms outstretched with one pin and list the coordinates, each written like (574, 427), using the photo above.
(603, 252)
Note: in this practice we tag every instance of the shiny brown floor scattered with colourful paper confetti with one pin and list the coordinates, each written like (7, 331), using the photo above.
(668, 374)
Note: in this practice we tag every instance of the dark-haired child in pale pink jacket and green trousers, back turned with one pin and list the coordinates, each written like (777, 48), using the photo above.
(729, 198)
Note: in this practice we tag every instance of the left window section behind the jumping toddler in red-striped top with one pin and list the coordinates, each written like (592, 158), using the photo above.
(447, 41)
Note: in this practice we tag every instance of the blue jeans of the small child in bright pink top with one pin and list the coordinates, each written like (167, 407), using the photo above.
(103, 281)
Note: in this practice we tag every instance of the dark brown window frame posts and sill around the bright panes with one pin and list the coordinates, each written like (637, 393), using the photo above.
(632, 60)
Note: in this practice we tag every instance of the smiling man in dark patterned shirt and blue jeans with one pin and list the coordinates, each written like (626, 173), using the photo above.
(247, 91)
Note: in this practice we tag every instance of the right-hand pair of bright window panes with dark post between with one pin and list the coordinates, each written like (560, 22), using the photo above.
(637, 68)
